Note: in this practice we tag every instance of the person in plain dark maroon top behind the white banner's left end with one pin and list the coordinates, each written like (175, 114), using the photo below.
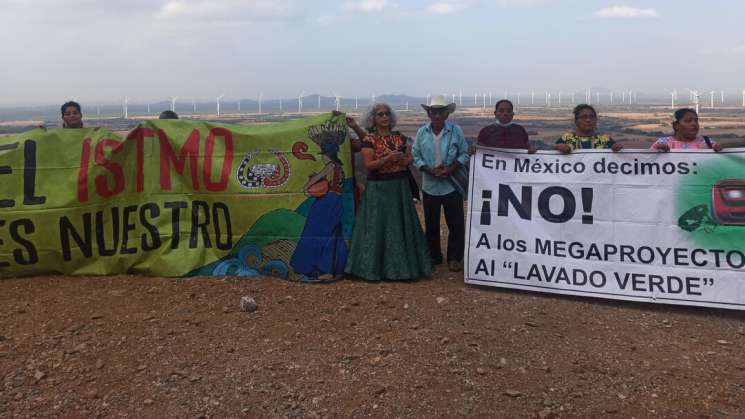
(504, 133)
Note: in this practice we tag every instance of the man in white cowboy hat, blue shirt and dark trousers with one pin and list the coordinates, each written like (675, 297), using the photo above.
(439, 149)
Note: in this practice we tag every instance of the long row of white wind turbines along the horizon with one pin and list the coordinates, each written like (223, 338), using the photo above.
(550, 99)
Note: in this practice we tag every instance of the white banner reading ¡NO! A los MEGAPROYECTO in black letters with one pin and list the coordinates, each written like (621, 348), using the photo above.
(641, 225)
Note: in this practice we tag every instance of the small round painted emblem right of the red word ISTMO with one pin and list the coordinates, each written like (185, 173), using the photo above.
(263, 174)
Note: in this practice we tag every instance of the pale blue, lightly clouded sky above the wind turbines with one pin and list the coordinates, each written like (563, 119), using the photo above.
(151, 50)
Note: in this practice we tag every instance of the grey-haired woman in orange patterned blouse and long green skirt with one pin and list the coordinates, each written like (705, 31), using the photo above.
(388, 242)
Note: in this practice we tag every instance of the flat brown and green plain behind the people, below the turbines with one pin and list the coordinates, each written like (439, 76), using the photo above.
(634, 126)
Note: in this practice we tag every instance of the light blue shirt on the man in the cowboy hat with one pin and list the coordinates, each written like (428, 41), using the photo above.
(453, 147)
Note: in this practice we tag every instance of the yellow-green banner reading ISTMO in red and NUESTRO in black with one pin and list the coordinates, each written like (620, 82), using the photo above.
(178, 198)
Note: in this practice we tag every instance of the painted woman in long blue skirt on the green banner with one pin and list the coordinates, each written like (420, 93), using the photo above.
(321, 252)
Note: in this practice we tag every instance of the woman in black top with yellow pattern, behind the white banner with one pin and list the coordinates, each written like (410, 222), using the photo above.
(585, 135)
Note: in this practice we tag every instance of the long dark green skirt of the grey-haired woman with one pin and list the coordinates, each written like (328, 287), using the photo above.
(388, 242)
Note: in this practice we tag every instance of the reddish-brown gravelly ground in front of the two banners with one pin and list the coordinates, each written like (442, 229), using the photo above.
(159, 347)
